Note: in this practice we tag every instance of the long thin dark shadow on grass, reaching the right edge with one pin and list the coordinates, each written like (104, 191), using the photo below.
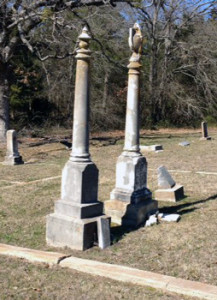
(180, 209)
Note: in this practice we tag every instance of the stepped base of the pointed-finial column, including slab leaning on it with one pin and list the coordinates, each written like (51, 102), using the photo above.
(78, 220)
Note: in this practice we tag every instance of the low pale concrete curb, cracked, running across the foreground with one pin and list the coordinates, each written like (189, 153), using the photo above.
(116, 272)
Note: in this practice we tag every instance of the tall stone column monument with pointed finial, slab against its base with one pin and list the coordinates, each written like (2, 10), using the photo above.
(78, 220)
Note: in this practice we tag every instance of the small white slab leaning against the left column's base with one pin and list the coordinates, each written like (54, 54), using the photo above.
(103, 231)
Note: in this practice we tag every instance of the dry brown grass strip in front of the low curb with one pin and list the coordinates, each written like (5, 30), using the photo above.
(31, 282)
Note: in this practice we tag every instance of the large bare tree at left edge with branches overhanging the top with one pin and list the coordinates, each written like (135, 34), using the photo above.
(19, 21)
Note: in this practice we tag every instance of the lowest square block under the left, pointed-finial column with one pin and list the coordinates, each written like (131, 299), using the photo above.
(64, 231)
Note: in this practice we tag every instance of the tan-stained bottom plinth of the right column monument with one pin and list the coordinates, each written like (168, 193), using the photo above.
(127, 214)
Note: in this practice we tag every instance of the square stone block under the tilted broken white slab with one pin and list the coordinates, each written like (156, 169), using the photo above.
(172, 195)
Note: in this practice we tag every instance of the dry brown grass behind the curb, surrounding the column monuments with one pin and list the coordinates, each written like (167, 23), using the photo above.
(186, 249)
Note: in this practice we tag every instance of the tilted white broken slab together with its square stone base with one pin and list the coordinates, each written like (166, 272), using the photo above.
(168, 190)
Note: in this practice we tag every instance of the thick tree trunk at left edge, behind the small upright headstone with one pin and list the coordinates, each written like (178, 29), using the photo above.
(4, 102)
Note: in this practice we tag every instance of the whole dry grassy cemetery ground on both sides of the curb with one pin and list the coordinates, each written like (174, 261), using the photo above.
(186, 249)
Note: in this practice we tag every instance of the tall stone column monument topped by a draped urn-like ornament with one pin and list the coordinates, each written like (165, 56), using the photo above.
(131, 201)
